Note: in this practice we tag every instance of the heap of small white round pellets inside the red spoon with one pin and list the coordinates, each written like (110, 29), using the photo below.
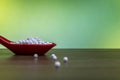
(32, 40)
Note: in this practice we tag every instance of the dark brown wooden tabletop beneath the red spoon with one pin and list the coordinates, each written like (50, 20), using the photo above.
(83, 64)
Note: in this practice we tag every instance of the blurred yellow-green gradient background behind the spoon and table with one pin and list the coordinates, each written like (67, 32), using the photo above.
(68, 23)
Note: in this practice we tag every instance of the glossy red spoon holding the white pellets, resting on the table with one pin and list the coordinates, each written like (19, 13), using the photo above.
(26, 49)
